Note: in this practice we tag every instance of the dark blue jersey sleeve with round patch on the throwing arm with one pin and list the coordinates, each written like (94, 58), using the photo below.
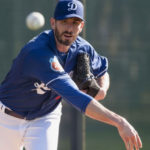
(43, 66)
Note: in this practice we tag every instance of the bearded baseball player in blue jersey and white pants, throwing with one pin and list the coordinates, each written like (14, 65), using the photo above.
(40, 76)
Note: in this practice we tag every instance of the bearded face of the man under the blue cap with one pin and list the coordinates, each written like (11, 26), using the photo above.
(67, 30)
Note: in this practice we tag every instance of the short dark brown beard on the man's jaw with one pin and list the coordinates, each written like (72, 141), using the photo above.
(59, 38)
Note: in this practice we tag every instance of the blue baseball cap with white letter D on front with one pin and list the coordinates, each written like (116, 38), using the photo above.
(68, 9)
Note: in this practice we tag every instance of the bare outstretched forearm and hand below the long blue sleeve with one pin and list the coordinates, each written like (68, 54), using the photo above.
(128, 134)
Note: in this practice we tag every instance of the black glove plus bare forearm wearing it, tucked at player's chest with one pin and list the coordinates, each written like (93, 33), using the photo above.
(86, 81)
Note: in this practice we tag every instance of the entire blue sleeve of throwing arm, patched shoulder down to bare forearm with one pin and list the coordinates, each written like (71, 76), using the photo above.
(46, 68)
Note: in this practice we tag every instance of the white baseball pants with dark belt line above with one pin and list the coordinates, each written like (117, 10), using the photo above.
(38, 134)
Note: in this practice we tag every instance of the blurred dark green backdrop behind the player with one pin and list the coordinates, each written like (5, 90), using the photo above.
(119, 30)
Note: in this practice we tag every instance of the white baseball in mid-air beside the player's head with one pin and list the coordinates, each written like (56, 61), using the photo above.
(35, 21)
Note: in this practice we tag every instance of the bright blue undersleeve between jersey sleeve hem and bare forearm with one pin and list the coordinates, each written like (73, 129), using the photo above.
(67, 89)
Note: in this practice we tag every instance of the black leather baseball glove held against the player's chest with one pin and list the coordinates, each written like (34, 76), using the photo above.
(83, 77)
